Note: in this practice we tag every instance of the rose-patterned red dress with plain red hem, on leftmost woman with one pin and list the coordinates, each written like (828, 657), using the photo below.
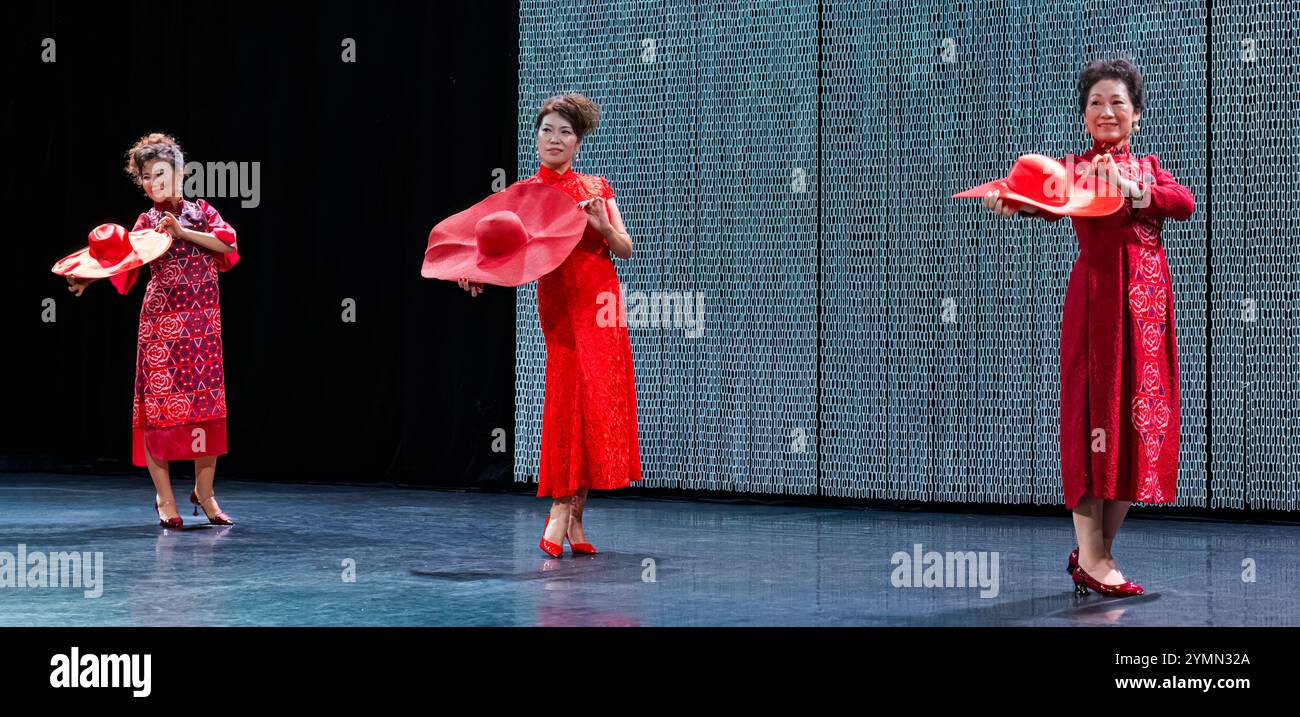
(180, 407)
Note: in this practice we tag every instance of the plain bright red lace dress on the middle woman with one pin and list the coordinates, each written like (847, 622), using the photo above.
(590, 419)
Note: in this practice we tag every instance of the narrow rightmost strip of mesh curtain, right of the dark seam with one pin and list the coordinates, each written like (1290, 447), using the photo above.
(1254, 262)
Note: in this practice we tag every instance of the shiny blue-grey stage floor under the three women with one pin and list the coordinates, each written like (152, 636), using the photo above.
(441, 558)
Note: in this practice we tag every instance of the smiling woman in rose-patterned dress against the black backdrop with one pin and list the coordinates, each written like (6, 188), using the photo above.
(180, 407)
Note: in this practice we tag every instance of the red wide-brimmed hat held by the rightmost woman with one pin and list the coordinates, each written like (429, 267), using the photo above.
(1046, 184)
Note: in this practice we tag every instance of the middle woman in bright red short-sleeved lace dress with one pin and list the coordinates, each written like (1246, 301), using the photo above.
(590, 420)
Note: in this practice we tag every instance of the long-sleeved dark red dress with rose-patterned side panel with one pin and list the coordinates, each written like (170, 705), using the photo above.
(1120, 396)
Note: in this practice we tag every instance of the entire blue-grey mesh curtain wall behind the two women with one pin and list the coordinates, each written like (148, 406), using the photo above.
(865, 336)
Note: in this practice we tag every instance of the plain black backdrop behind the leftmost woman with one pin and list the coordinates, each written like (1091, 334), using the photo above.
(358, 163)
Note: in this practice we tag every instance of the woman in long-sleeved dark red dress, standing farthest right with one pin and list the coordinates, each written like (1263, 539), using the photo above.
(1120, 394)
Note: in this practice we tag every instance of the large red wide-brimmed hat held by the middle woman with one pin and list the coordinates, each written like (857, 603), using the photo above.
(509, 240)
